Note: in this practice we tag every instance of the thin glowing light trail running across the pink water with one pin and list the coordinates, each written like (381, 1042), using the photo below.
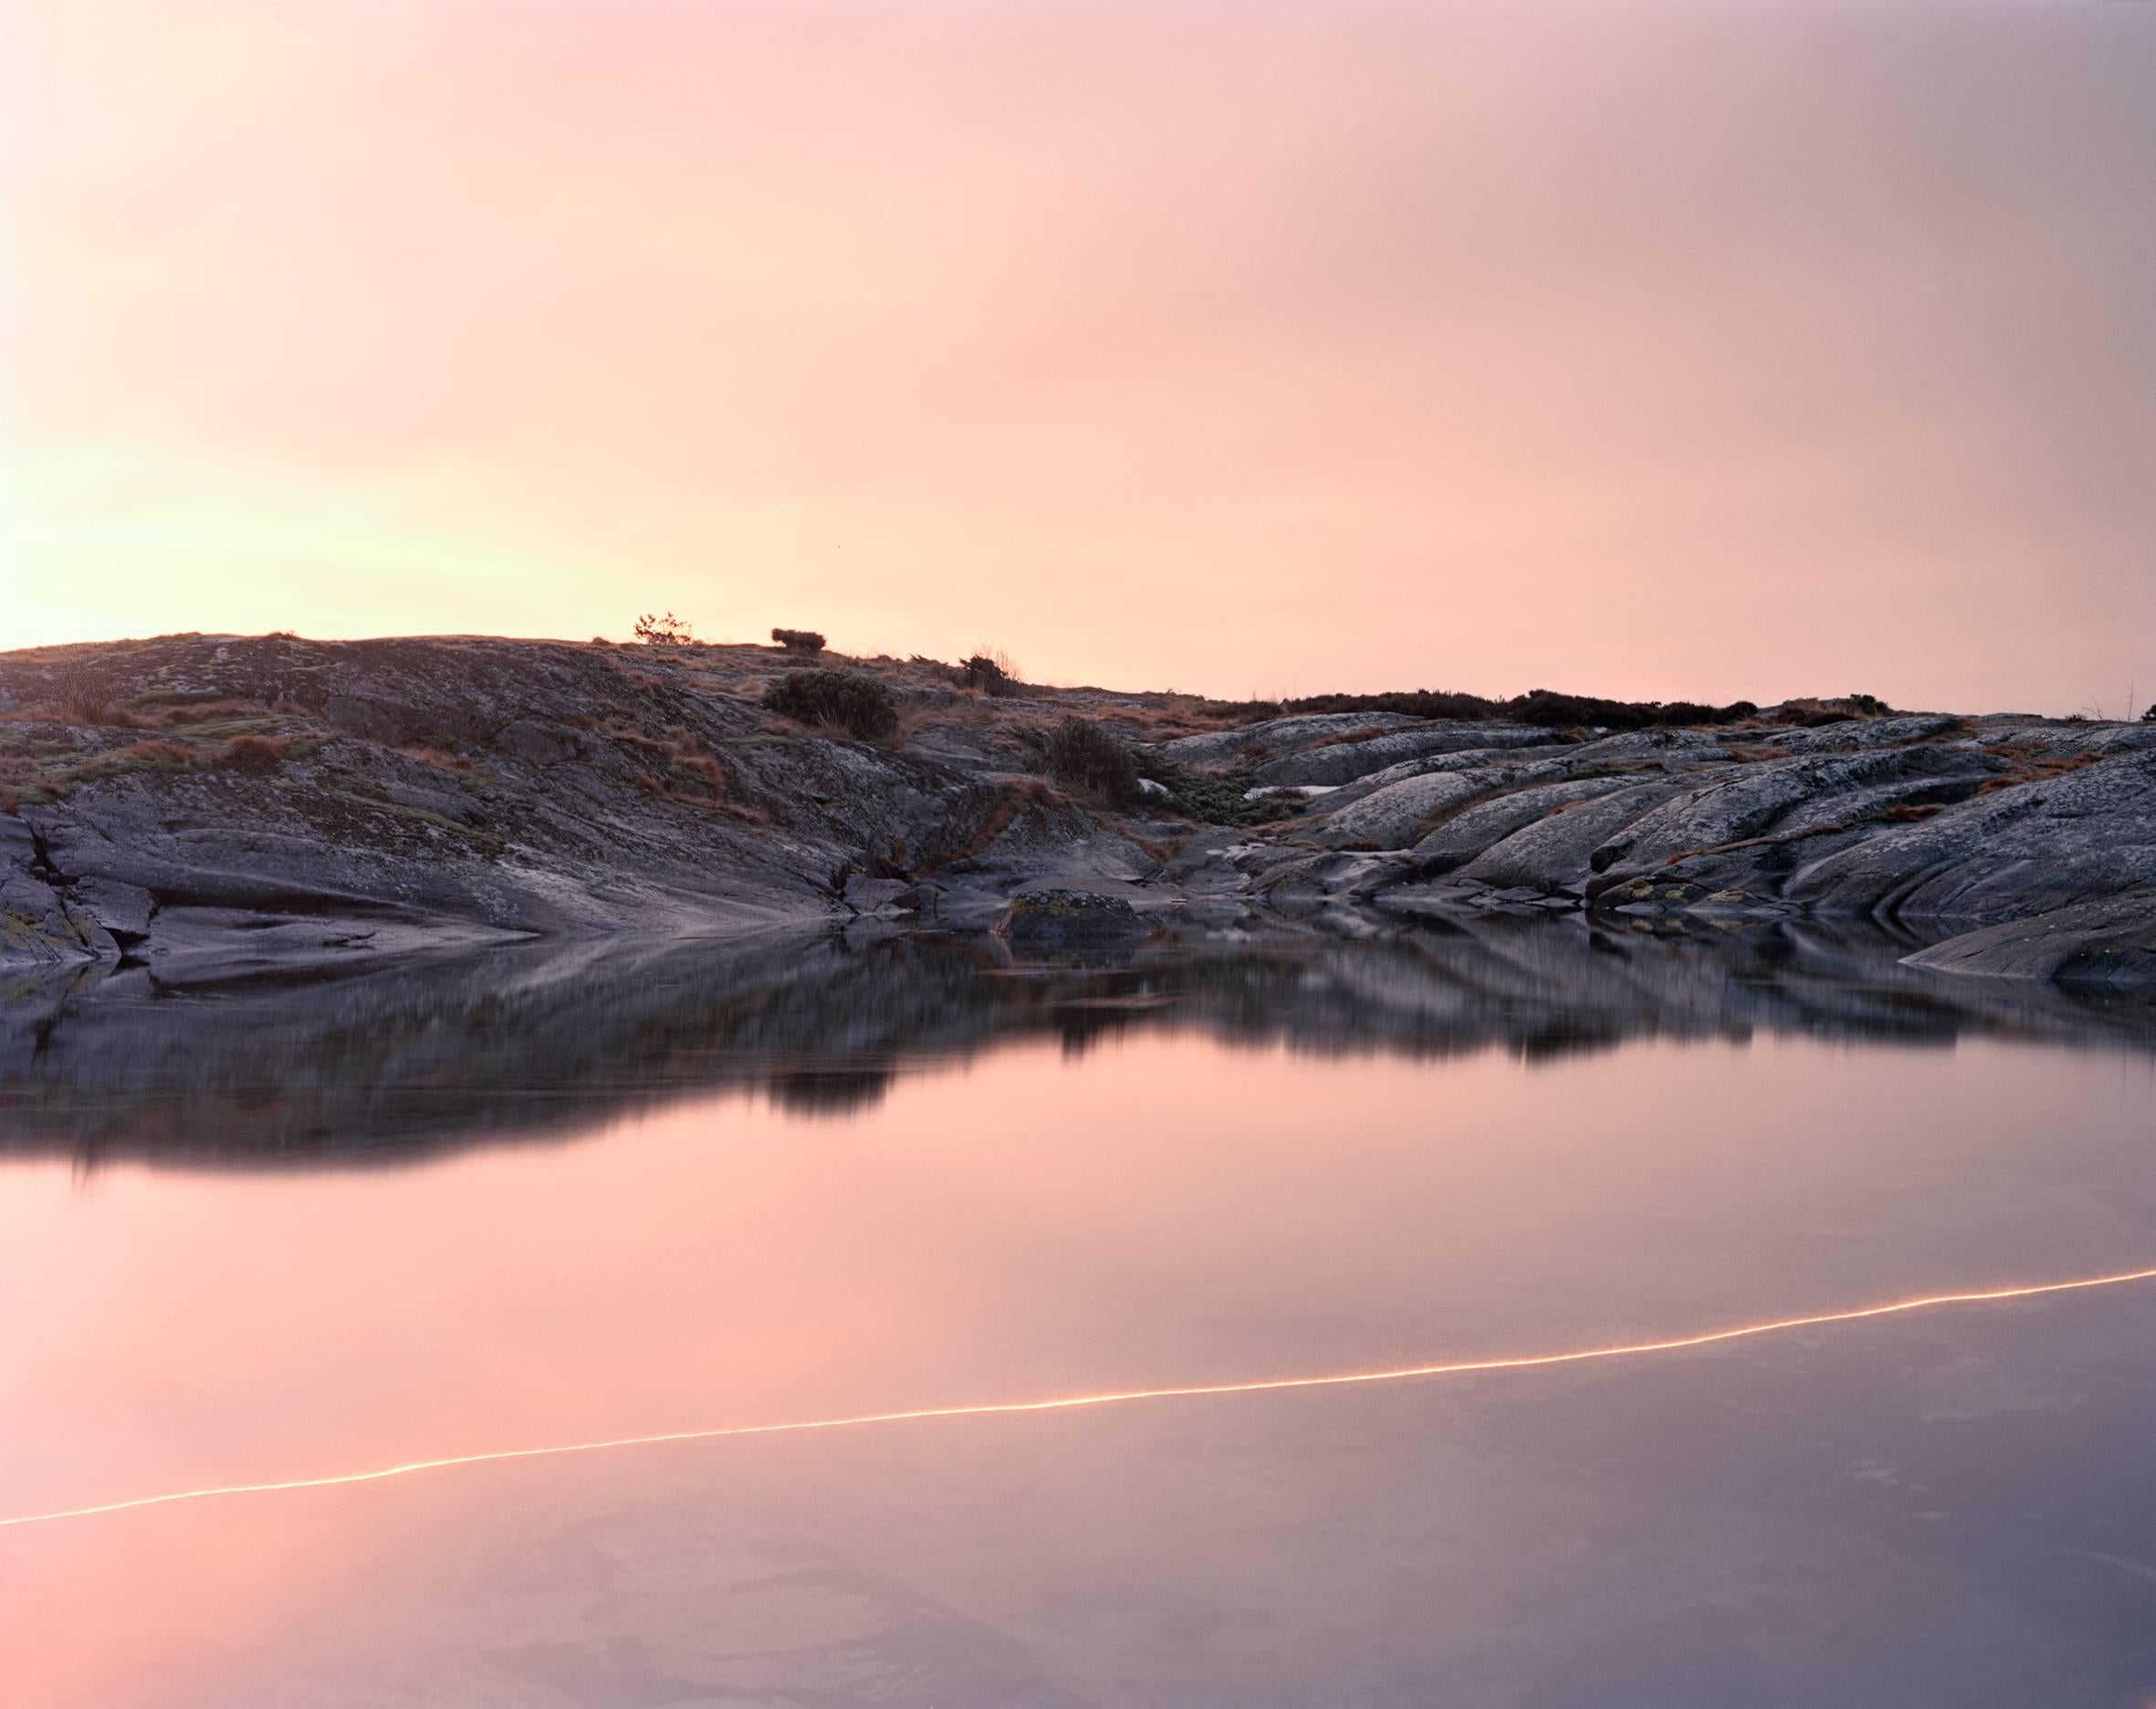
(1127, 1395)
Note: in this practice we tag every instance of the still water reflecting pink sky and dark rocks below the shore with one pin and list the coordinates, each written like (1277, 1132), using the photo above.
(525, 1204)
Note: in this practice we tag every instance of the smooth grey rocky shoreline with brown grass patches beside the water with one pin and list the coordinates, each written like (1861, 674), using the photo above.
(199, 809)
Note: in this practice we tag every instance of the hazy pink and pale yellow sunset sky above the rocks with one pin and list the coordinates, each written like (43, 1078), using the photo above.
(1254, 348)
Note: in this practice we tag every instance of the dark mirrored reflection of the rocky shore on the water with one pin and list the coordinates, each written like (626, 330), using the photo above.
(540, 1042)
